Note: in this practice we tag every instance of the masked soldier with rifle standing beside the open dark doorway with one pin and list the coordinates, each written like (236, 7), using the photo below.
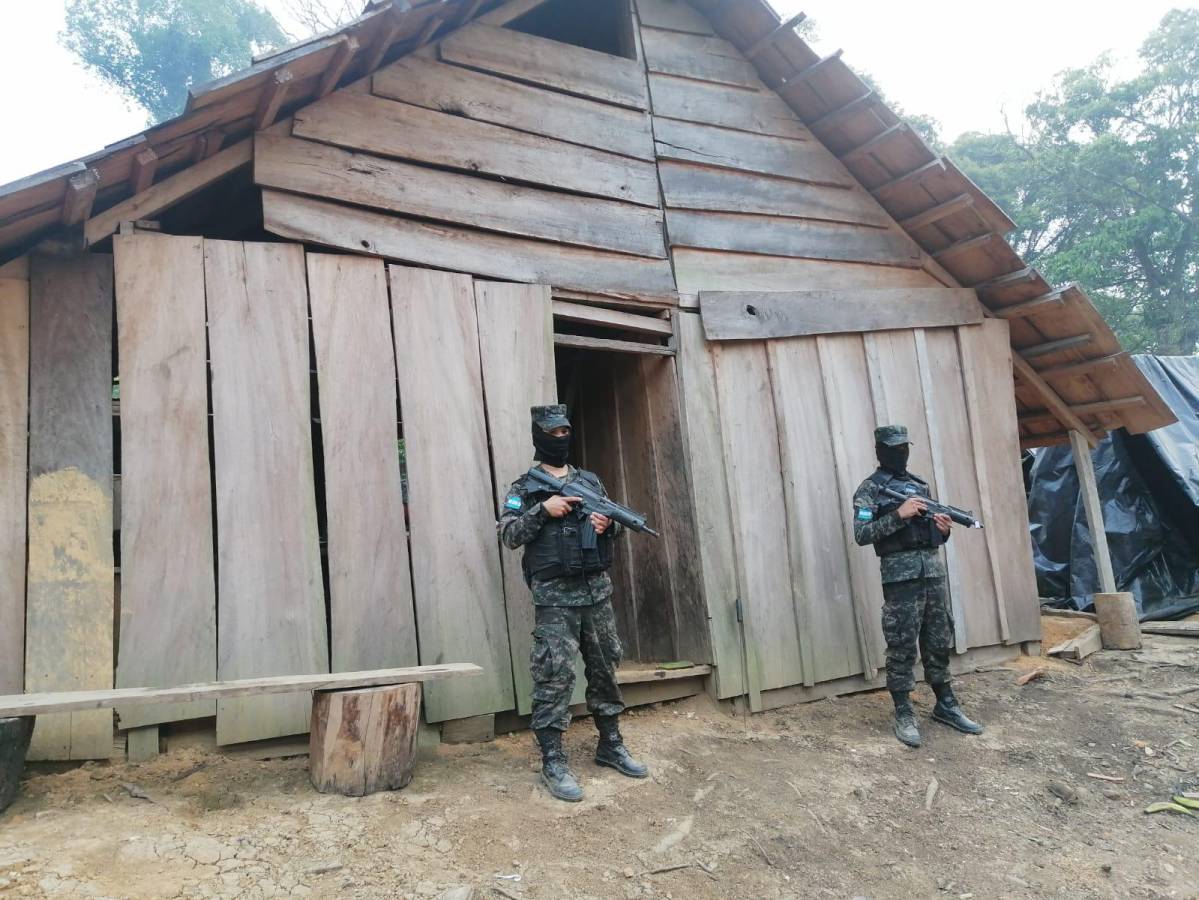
(573, 599)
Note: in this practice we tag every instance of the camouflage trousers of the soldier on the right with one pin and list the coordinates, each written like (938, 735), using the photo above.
(918, 614)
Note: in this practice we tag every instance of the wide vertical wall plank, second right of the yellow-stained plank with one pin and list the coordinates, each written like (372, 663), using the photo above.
(272, 605)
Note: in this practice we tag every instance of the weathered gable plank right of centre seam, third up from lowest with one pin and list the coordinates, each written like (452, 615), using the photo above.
(688, 186)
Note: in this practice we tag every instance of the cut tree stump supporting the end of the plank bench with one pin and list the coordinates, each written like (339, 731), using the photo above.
(365, 740)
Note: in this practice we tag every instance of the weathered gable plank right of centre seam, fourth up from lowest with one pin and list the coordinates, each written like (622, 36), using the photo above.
(805, 161)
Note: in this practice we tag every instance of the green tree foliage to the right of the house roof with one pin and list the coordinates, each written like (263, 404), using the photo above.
(1104, 186)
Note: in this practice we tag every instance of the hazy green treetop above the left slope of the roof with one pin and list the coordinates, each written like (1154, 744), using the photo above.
(153, 51)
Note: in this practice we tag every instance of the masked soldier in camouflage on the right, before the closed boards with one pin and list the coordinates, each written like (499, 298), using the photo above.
(917, 605)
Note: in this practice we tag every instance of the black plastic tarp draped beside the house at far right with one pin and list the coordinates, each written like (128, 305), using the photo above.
(1149, 490)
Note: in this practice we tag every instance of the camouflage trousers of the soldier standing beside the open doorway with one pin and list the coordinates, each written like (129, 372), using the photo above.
(561, 633)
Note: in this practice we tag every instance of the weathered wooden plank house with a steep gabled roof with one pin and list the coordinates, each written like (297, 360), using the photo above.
(330, 291)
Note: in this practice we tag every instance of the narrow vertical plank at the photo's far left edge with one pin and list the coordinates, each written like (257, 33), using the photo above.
(14, 469)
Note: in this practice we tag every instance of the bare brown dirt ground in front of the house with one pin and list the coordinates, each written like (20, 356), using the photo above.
(805, 802)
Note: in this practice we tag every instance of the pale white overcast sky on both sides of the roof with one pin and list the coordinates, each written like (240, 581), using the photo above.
(966, 64)
